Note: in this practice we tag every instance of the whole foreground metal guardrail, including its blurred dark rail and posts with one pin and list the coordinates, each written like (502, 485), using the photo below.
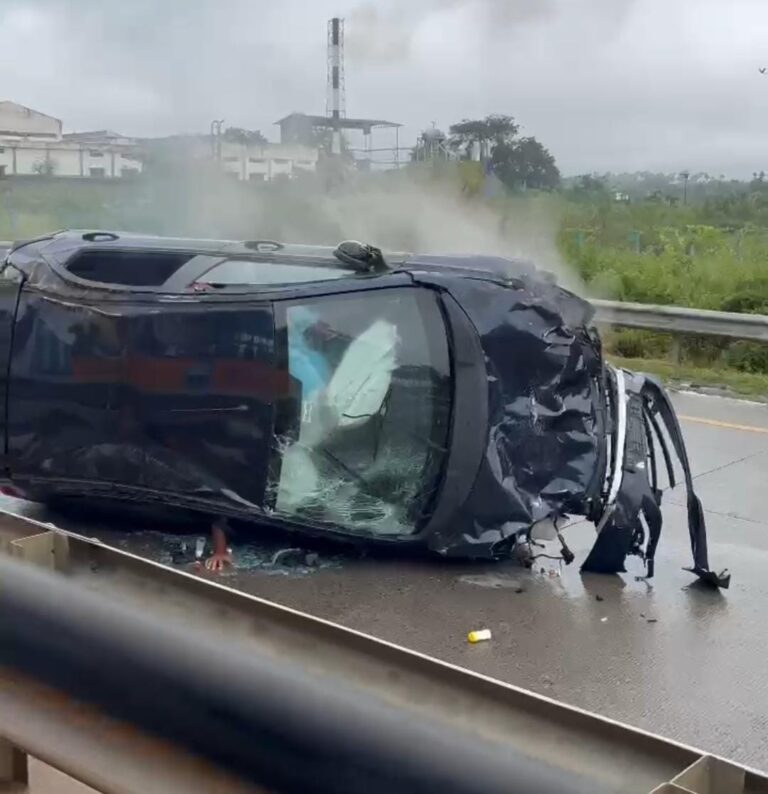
(129, 677)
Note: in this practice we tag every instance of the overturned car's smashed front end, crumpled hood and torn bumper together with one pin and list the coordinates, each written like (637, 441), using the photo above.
(556, 411)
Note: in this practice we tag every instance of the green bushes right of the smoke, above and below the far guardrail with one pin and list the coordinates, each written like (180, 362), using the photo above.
(703, 245)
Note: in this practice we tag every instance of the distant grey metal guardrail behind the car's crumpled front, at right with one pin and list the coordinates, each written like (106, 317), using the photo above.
(680, 320)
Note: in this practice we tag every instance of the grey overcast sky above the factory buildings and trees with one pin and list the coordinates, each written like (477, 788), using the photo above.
(604, 84)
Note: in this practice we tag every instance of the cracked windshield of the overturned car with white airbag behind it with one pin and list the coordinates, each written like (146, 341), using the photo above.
(368, 440)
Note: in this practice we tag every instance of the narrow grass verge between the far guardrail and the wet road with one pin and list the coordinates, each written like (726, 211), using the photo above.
(745, 384)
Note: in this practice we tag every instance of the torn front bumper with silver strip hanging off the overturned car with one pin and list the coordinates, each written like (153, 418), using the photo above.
(632, 520)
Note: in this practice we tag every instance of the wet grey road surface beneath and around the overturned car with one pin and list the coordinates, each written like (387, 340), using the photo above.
(671, 657)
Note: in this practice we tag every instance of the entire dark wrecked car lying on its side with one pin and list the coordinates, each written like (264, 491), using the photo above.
(455, 402)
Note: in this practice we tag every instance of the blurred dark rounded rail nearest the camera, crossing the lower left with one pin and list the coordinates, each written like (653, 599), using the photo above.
(257, 716)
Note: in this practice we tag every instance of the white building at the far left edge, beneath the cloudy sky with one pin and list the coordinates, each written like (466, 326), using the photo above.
(32, 143)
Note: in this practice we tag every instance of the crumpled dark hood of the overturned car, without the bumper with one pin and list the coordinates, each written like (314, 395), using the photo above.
(544, 450)
